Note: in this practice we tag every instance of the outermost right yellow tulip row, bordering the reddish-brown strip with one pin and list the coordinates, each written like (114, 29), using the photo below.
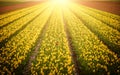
(112, 22)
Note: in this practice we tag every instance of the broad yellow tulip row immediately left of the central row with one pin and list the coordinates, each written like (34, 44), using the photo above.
(17, 48)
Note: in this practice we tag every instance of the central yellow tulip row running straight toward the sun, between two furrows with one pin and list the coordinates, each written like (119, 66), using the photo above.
(54, 54)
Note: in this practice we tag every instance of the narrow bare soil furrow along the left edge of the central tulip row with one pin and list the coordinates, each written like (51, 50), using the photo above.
(27, 68)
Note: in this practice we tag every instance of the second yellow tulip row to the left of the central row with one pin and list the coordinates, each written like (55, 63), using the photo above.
(7, 31)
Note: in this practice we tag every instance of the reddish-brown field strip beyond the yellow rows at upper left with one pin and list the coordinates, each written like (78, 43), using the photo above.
(6, 9)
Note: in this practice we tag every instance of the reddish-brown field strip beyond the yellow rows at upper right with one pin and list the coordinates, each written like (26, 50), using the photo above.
(108, 6)
